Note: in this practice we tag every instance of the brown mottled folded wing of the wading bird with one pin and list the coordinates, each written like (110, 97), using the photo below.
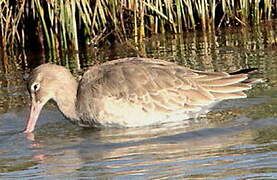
(160, 86)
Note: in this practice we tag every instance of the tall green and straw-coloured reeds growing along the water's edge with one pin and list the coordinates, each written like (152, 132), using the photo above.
(67, 24)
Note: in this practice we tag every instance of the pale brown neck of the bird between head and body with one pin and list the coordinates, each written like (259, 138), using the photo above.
(66, 99)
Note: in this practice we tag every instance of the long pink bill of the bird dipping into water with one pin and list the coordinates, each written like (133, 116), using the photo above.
(33, 116)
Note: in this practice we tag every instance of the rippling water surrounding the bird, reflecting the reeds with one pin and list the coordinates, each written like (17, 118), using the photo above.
(238, 140)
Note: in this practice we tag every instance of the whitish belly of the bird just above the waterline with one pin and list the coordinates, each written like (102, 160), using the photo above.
(124, 114)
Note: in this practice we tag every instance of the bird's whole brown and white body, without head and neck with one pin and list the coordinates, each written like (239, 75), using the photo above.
(140, 91)
